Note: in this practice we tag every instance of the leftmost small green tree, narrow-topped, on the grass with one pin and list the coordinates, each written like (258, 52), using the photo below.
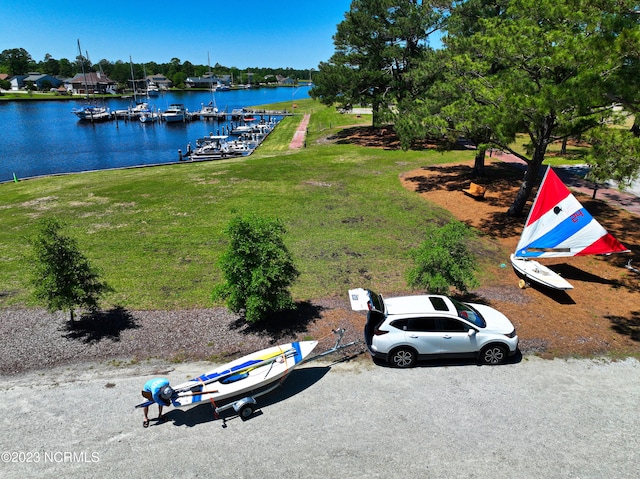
(63, 279)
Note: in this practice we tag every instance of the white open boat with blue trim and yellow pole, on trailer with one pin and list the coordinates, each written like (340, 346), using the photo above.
(239, 377)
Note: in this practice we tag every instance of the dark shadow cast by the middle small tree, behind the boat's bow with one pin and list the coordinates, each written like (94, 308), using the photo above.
(283, 324)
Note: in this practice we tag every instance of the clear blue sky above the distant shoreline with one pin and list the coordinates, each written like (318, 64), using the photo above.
(251, 33)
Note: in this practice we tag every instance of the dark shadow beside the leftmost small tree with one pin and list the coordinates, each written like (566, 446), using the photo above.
(98, 325)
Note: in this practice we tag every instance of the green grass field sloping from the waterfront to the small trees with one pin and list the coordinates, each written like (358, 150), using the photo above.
(156, 233)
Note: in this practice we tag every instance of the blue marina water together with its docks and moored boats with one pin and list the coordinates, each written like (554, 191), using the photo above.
(49, 138)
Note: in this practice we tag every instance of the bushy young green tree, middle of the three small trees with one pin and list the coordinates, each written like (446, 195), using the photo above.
(257, 267)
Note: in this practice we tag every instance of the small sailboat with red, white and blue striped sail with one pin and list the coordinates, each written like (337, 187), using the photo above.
(558, 226)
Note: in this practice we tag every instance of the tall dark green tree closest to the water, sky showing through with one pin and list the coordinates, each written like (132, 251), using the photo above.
(376, 45)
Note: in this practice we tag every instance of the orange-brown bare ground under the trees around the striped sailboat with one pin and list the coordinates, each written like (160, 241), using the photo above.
(600, 315)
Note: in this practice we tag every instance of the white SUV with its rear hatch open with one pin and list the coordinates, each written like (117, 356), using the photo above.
(405, 329)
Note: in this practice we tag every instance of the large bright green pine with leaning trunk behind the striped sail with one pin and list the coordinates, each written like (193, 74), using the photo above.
(543, 67)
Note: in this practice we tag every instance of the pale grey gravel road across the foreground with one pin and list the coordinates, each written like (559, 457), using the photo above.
(533, 418)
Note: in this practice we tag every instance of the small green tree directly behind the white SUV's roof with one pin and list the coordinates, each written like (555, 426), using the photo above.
(444, 260)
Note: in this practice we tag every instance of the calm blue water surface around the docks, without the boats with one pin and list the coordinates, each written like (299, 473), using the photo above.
(44, 138)
